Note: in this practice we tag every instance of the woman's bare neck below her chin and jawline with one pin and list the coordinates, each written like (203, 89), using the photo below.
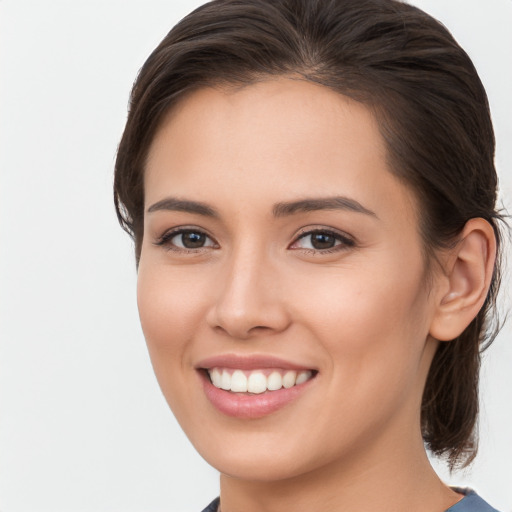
(403, 480)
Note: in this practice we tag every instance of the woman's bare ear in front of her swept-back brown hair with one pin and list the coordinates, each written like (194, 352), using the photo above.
(468, 272)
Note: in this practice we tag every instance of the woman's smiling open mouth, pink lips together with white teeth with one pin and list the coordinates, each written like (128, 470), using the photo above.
(253, 387)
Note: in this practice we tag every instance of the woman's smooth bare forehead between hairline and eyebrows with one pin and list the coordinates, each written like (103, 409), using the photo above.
(277, 139)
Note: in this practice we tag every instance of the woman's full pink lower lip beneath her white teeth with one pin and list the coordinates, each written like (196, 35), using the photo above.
(246, 406)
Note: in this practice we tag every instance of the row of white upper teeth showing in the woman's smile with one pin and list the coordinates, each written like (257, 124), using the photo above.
(257, 381)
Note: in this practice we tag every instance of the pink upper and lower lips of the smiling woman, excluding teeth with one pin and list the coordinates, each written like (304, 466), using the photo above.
(248, 406)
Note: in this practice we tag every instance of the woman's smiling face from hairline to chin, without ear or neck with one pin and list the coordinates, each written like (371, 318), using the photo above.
(281, 284)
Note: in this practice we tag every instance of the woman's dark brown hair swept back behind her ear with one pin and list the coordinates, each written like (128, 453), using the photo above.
(432, 111)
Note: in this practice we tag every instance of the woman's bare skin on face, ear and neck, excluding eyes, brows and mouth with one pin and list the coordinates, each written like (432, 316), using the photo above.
(360, 313)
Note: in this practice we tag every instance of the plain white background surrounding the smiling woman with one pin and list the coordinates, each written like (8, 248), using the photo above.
(83, 425)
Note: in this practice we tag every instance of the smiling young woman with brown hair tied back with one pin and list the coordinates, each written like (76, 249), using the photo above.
(311, 190)
